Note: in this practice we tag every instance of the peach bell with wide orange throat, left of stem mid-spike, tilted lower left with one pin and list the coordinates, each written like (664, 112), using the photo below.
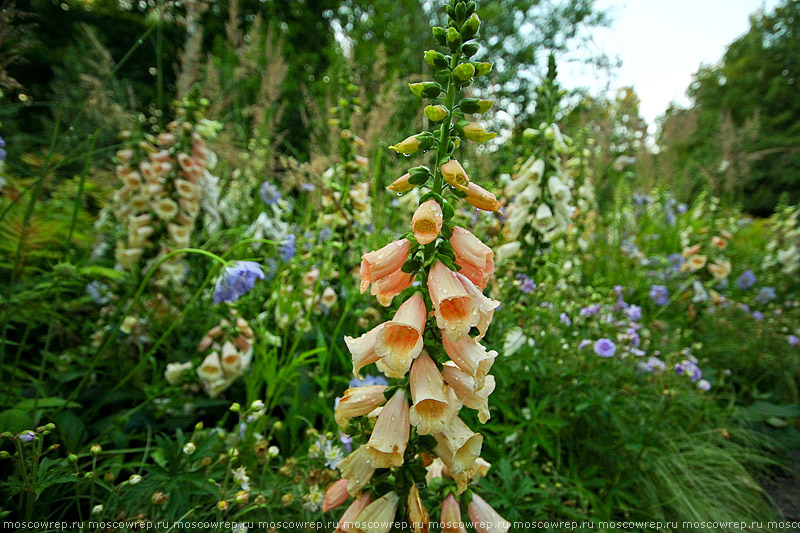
(400, 340)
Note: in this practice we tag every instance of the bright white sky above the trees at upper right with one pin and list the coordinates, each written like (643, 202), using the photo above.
(661, 44)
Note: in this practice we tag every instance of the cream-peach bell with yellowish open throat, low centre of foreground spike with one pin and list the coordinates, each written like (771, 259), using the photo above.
(435, 404)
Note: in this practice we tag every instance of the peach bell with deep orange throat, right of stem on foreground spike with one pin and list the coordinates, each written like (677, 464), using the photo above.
(454, 307)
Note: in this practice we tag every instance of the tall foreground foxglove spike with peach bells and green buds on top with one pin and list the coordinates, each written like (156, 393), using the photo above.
(431, 350)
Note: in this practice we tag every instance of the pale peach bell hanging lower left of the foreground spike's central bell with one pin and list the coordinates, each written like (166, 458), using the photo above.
(389, 438)
